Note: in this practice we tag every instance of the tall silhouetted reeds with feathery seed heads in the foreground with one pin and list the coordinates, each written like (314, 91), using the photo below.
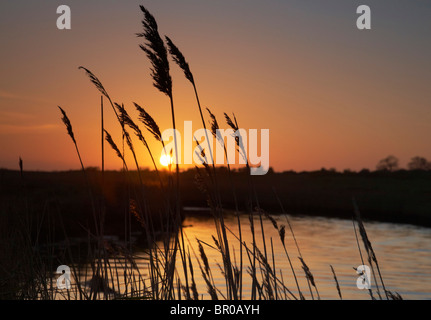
(112, 271)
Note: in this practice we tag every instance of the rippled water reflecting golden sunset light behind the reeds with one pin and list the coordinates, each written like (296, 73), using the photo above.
(403, 253)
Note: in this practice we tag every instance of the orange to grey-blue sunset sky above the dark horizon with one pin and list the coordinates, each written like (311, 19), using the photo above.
(331, 95)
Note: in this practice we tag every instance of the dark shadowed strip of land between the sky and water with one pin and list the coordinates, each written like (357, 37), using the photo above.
(401, 196)
